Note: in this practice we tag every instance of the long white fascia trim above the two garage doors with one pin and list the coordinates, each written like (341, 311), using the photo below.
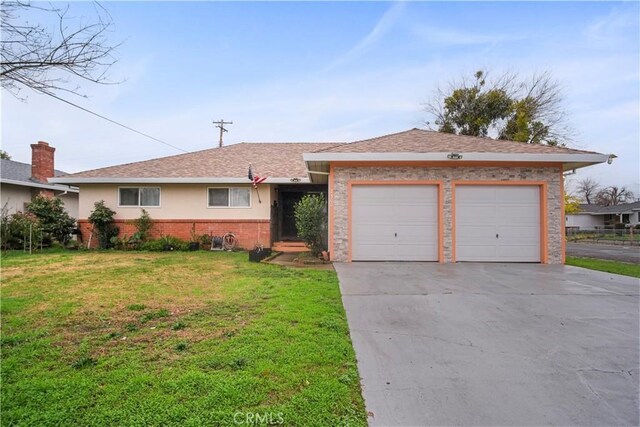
(484, 157)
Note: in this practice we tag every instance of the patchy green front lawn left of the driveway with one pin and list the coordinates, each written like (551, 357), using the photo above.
(189, 339)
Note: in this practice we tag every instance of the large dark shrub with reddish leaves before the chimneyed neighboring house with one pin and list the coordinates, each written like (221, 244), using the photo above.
(54, 220)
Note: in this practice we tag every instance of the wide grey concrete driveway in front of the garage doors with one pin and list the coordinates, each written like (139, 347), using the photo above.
(494, 344)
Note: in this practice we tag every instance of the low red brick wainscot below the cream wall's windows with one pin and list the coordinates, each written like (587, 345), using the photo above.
(248, 232)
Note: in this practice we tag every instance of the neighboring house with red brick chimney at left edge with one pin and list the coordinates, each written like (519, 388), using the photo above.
(20, 182)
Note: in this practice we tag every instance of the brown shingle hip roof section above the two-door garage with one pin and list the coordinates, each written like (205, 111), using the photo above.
(424, 141)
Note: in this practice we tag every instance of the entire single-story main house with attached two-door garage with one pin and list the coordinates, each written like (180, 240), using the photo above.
(414, 195)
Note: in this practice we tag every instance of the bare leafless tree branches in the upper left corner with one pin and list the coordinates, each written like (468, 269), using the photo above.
(35, 57)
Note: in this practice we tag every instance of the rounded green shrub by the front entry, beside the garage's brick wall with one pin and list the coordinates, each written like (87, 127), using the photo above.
(311, 221)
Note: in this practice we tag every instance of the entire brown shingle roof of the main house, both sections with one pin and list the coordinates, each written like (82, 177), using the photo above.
(285, 160)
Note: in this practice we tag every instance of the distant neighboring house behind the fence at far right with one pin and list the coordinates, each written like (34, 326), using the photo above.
(594, 216)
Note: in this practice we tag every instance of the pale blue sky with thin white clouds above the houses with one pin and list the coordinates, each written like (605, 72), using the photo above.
(334, 72)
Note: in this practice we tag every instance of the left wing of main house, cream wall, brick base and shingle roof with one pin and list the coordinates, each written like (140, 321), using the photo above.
(209, 189)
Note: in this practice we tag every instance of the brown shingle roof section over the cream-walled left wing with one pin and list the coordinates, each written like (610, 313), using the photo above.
(283, 160)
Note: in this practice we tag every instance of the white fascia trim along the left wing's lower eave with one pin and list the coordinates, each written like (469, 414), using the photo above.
(196, 180)
